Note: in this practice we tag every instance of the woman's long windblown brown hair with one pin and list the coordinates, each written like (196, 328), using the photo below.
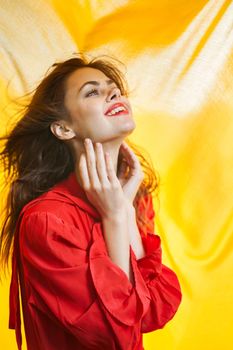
(34, 160)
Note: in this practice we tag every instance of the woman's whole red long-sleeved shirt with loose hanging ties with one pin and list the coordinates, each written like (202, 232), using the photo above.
(73, 295)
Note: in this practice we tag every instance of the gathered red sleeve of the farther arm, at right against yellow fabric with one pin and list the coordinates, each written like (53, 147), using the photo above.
(162, 282)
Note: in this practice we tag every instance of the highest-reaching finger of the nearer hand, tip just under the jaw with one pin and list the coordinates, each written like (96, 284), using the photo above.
(91, 163)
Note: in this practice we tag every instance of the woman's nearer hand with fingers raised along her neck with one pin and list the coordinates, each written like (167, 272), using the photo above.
(99, 181)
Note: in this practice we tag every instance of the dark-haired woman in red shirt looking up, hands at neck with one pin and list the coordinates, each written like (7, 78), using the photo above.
(81, 217)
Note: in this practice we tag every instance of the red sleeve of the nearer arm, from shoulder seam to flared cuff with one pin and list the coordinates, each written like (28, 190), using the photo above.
(76, 285)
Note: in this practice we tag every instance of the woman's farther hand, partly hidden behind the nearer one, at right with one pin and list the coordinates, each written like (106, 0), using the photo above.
(130, 173)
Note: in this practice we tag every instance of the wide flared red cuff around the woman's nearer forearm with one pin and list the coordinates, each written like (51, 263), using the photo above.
(125, 302)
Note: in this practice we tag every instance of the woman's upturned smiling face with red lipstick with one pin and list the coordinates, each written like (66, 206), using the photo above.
(90, 96)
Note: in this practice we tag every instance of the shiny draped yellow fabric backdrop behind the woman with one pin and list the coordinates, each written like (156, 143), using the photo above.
(179, 67)
